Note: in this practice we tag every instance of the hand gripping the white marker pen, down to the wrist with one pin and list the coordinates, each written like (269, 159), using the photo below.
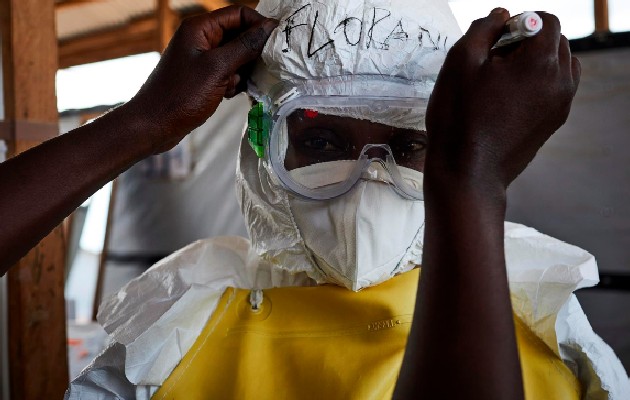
(492, 110)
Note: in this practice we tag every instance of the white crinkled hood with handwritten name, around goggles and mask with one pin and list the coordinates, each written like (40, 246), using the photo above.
(383, 38)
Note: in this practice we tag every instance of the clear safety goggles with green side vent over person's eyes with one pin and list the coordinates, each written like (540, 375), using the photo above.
(320, 145)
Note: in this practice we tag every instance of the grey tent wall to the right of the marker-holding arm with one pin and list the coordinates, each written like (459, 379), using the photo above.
(578, 187)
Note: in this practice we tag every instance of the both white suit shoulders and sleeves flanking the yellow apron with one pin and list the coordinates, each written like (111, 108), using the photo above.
(150, 332)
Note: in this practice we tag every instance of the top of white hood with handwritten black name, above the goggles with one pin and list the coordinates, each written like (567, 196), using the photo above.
(389, 48)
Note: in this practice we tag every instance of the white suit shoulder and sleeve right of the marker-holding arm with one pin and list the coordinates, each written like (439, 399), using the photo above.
(543, 273)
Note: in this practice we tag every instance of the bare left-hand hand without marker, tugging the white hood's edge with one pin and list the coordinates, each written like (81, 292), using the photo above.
(207, 59)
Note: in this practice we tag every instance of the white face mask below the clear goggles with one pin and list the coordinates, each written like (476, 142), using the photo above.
(360, 239)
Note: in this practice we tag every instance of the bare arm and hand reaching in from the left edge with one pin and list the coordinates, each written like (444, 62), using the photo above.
(205, 61)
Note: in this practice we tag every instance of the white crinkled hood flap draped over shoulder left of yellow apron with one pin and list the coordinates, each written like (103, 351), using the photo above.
(204, 270)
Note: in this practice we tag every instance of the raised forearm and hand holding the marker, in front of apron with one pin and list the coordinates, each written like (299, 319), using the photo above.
(489, 114)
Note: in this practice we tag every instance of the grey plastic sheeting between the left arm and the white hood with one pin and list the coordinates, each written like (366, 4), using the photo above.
(158, 215)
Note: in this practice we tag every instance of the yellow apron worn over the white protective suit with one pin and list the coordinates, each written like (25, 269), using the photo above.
(328, 343)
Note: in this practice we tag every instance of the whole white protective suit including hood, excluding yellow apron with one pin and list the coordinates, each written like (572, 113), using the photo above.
(155, 319)
